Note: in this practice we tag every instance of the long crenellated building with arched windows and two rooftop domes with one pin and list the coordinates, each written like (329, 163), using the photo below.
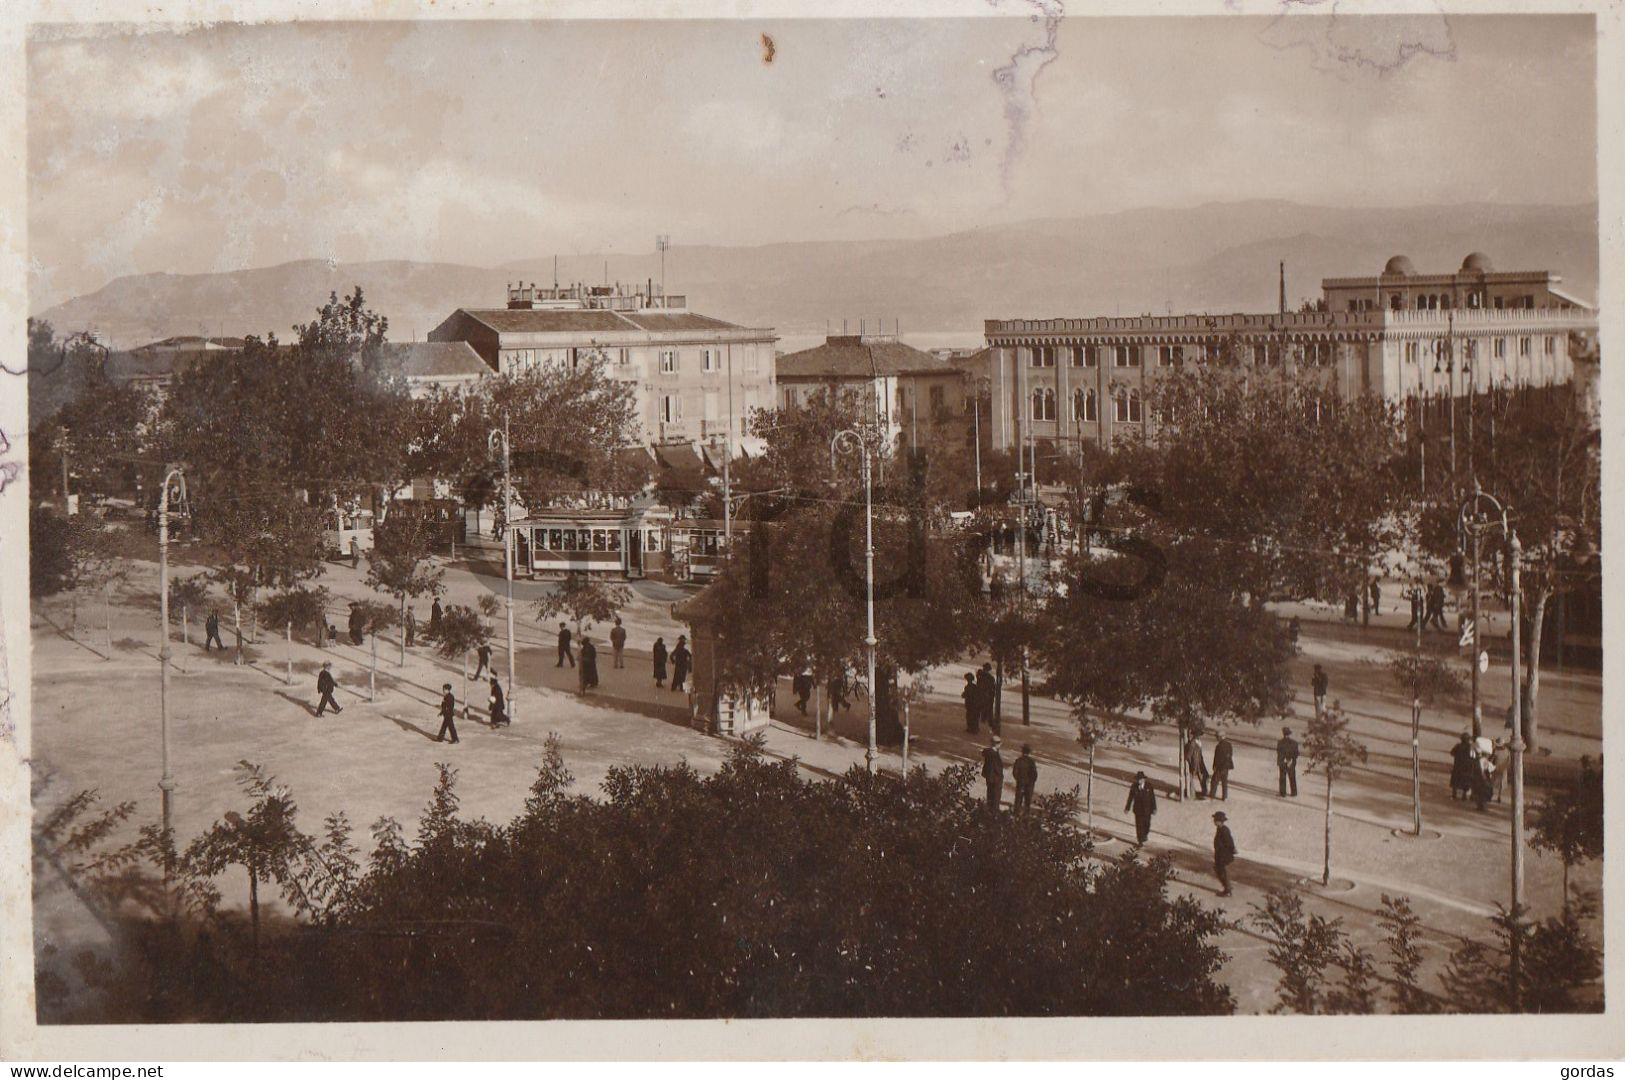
(1067, 381)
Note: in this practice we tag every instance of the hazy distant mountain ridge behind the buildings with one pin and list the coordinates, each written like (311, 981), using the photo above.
(1220, 257)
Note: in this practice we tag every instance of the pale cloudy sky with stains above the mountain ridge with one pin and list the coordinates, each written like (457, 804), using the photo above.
(232, 147)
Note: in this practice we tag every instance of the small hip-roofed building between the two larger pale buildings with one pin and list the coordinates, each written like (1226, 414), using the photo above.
(917, 397)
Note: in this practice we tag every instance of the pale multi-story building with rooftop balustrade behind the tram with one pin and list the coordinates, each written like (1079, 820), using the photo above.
(690, 373)
